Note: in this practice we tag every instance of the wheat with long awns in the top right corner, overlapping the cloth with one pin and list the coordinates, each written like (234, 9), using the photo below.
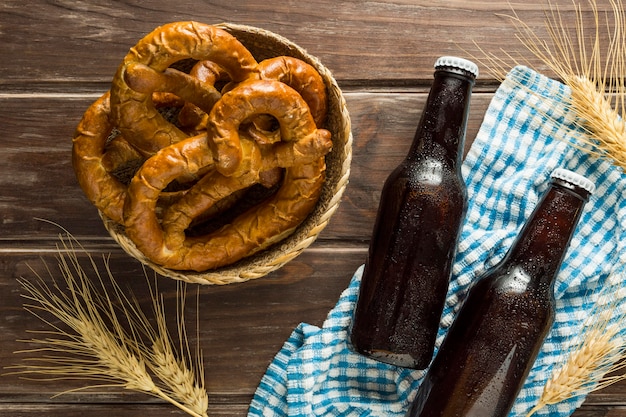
(593, 71)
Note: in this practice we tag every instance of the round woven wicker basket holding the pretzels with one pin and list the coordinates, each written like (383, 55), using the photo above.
(264, 44)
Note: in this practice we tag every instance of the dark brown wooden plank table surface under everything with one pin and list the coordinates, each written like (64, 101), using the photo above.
(59, 55)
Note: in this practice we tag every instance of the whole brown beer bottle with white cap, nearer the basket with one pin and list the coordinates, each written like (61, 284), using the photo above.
(422, 206)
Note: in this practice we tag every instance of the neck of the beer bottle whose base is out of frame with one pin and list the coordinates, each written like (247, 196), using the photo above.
(542, 243)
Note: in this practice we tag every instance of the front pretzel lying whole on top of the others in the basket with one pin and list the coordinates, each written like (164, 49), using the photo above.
(165, 243)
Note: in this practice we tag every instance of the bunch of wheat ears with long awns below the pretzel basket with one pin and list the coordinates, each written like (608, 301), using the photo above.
(101, 335)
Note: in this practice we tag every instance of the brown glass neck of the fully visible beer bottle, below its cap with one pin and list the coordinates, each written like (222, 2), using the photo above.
(443, 123)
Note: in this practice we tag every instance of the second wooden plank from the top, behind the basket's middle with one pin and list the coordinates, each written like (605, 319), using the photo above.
(38, 181)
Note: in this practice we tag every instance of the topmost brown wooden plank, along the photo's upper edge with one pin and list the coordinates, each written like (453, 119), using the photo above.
(85, 41)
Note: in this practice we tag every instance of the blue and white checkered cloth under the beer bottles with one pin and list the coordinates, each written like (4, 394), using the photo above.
(523, 138)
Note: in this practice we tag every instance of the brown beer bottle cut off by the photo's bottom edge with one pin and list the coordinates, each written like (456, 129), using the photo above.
(496, 336)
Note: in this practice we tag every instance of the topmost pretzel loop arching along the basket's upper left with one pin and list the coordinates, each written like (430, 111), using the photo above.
(133, 111)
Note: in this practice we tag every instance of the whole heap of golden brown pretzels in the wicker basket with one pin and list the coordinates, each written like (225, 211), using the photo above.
(264, 127)
